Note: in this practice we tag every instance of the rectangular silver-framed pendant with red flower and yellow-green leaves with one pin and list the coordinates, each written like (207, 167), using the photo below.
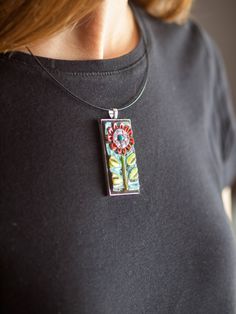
(119, 156)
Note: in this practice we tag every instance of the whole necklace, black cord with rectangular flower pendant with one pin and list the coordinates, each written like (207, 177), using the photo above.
(119, 155)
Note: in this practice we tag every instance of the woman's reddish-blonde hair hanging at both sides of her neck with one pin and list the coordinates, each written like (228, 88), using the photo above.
(26, 21)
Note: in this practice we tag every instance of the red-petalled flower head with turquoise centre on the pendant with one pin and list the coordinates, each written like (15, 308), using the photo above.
(120, 138)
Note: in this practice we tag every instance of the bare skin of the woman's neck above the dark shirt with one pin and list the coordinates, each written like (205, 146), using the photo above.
(110, 31)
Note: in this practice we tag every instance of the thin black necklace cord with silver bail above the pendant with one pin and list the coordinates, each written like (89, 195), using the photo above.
(113, 111)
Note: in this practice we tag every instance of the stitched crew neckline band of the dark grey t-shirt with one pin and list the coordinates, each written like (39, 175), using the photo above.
(92, 65)
